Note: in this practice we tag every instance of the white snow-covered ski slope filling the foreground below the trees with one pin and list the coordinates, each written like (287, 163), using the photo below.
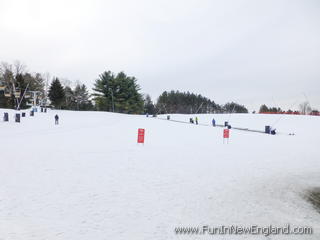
(88, 179)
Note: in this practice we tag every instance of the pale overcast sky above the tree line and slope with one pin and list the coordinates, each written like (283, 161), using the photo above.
(248, 51)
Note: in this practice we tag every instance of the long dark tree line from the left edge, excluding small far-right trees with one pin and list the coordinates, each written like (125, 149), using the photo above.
(111, 92)
